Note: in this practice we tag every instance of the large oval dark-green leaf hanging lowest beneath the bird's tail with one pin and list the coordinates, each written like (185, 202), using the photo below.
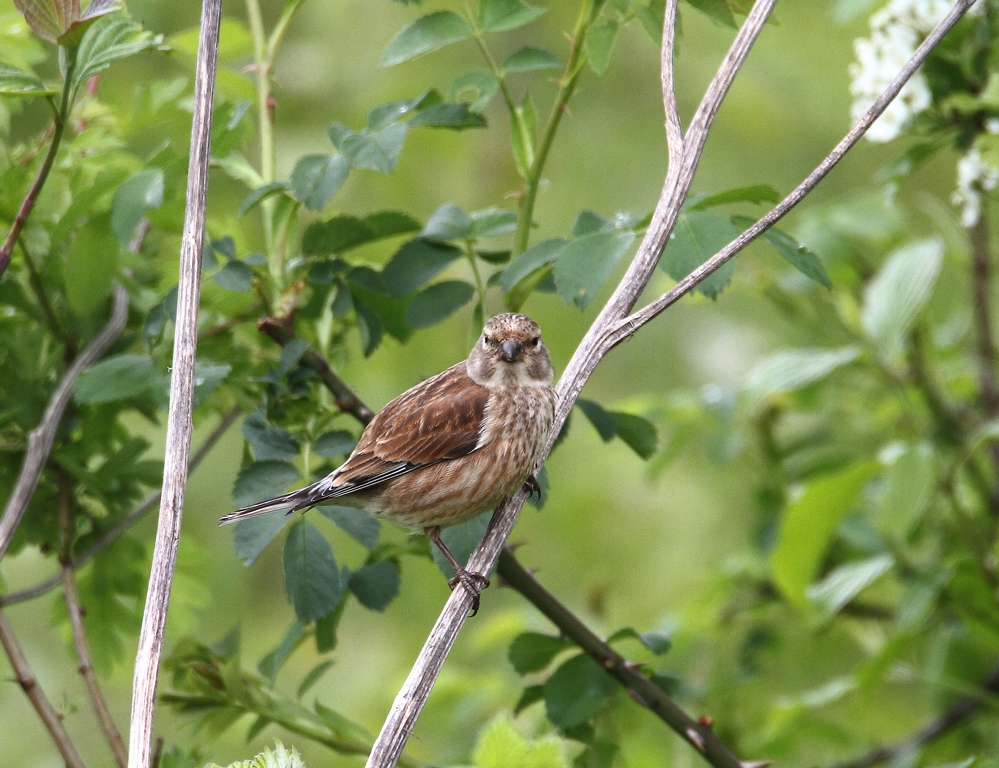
(311, 575)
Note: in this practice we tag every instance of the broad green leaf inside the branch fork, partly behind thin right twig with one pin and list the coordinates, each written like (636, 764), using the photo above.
(698, 236)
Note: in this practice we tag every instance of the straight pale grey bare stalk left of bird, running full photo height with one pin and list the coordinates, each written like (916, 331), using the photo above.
(179, 419)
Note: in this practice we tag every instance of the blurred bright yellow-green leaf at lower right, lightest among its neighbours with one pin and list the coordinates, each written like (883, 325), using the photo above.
(808, 524)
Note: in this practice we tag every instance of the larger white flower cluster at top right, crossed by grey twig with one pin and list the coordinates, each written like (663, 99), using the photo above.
(896, 32)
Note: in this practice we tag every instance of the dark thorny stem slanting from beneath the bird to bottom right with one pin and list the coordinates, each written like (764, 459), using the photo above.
(642, 690)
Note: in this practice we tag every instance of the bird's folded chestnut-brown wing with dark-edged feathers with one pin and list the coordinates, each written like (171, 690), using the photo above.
(437, 420)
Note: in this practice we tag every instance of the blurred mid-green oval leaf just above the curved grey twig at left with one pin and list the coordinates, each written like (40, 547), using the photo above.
(91, 266)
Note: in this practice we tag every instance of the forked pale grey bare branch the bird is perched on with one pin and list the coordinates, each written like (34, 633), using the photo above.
(616, 323)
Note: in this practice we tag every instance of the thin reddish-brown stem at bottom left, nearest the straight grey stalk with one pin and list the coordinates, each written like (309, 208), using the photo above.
(75, 610)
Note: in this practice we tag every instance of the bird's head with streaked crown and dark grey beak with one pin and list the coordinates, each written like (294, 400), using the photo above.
(510, 350)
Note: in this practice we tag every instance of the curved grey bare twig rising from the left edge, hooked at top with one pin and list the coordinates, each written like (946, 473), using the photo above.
(42, 437)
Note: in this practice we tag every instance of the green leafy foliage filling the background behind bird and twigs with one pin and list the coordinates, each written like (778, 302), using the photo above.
(809, 553)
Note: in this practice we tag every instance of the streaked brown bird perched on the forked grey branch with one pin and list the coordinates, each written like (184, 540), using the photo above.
(451, 447)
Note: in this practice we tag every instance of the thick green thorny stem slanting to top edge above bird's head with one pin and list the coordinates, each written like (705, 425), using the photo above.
(567, 87)
